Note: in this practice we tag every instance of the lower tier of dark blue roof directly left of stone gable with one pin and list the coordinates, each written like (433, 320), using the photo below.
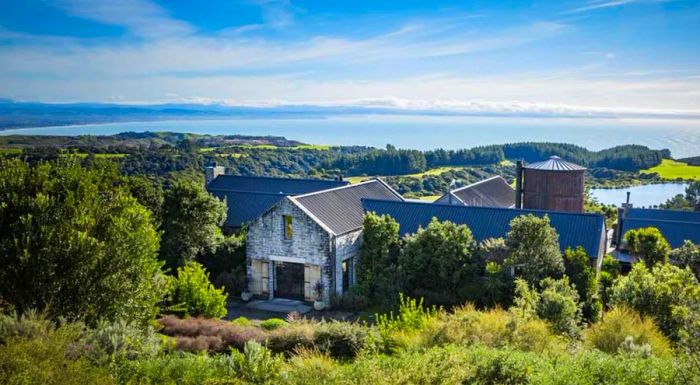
(244, 207)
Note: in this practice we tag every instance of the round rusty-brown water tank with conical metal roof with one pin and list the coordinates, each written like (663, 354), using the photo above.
(553, 184)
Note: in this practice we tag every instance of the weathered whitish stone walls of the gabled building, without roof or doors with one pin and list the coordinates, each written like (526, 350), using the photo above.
(310, 245)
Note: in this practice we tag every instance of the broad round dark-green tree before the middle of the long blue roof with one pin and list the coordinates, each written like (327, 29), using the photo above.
(439, 258)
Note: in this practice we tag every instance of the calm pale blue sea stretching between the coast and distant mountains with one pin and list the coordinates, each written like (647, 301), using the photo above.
(682, 137)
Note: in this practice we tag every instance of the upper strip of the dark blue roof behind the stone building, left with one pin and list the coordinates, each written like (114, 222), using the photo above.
(284, 186)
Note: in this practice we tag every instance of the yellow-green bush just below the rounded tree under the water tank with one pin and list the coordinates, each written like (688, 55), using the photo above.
(557, 302)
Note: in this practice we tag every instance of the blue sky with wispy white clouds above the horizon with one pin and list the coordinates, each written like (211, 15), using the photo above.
(547, 56)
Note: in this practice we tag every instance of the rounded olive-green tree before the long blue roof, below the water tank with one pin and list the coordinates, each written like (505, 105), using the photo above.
(534, 248)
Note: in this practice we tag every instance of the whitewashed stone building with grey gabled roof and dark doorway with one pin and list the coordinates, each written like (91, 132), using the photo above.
(306, 239)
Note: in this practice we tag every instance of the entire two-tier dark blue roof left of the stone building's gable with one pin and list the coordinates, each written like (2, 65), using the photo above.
(248, 197)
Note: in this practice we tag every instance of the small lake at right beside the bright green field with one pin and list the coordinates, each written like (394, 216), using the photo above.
(641, 196)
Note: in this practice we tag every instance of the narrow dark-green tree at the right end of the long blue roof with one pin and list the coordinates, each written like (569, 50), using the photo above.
(583, 276)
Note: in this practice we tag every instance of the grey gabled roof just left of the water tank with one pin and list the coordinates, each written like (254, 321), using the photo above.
(491, 192)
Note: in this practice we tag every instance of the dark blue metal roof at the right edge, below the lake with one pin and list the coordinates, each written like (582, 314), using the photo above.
(676, 226)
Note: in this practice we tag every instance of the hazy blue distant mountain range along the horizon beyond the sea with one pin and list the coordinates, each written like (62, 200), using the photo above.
(18, 114)
